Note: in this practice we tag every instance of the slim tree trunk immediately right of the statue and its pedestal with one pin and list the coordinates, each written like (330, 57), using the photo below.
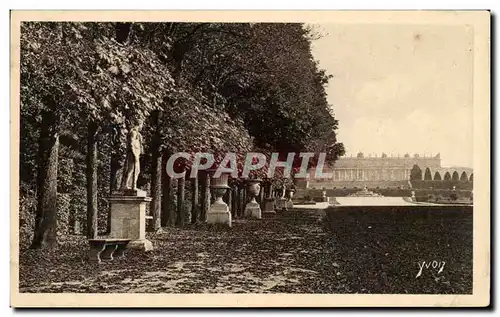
(156, 164)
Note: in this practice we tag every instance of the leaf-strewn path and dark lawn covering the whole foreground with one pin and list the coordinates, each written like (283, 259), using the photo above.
(290, 252)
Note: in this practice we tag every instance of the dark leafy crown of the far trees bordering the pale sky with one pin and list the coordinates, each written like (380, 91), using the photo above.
(265, 74)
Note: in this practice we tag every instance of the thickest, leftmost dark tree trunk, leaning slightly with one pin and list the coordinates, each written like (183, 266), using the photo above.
(45, 234)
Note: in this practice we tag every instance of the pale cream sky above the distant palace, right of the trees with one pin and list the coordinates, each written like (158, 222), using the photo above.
(401, 89)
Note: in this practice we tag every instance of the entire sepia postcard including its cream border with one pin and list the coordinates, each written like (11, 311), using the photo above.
(258, 159)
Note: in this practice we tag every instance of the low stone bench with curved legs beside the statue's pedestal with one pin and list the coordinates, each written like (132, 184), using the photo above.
(106, 249)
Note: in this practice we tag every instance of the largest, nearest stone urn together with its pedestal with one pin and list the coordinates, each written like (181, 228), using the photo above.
(218, 212)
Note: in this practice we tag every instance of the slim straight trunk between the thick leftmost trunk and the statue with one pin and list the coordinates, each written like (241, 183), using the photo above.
(91, 175)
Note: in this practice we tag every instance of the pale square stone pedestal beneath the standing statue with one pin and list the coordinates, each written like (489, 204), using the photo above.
(128, 218)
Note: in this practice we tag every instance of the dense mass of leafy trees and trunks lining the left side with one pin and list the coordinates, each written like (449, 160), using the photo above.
(210, 87)
